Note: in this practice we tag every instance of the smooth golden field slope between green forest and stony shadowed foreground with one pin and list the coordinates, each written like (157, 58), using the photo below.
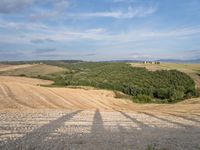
(19, 93)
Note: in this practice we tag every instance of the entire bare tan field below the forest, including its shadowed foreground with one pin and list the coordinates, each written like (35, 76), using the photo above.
(34, 117)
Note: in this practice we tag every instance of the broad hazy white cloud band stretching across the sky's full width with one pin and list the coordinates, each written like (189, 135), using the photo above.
(31, 31)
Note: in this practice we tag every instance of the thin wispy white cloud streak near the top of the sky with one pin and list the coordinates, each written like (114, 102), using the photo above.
(60, 8)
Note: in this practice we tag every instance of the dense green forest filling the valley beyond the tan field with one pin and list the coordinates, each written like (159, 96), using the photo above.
(142, 85)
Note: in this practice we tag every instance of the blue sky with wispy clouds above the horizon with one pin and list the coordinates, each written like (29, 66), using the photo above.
(99, 30)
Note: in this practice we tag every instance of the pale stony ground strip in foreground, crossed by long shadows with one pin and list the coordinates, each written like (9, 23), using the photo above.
(79, 129)
